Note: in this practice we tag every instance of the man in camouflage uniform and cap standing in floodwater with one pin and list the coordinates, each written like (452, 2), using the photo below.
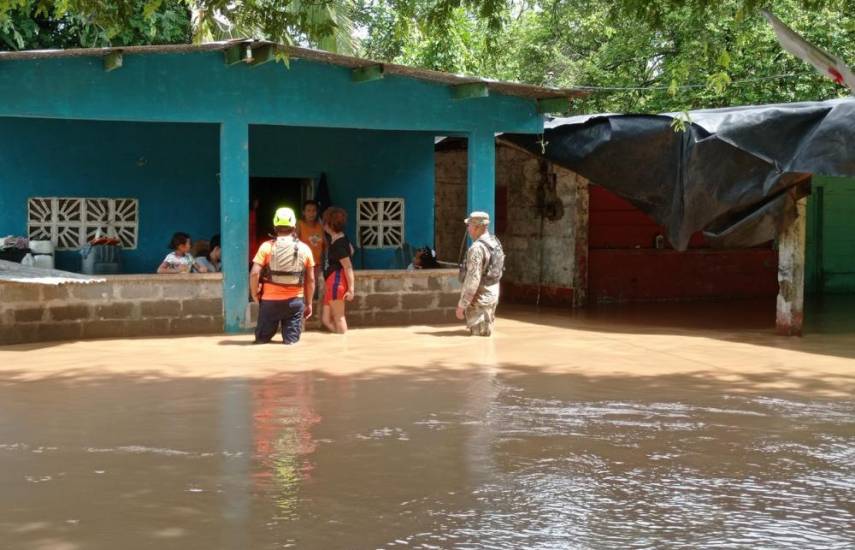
(478, 300)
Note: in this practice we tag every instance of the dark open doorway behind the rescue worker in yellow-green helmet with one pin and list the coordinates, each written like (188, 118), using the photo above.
(273, 193)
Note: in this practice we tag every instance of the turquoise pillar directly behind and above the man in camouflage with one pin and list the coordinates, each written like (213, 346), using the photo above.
(481, 188)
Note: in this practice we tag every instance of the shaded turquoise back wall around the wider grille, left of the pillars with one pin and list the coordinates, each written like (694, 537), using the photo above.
(171, 168)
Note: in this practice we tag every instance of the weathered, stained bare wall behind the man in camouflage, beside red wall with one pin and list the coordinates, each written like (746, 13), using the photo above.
(544, 262)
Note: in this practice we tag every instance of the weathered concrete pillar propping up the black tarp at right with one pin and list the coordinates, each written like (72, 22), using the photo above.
(791, 274)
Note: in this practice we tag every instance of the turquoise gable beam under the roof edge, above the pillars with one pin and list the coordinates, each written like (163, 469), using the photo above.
(198, 87)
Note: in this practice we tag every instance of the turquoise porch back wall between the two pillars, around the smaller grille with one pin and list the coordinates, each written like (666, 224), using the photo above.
(358, 164)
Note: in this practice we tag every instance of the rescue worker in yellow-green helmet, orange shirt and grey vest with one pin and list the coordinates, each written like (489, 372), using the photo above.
(284, 266)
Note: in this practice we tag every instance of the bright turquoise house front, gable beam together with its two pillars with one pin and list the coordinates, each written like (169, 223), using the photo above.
(199, 87)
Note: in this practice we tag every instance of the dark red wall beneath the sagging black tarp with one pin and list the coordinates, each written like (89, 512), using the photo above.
(625, 266)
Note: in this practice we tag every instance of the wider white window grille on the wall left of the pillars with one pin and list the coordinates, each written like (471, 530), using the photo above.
(71, 222)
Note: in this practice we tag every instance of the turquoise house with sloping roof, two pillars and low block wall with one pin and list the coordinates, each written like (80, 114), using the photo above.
(141, 142)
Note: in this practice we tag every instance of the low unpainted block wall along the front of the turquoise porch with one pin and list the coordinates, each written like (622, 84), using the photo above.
(162, 305)
